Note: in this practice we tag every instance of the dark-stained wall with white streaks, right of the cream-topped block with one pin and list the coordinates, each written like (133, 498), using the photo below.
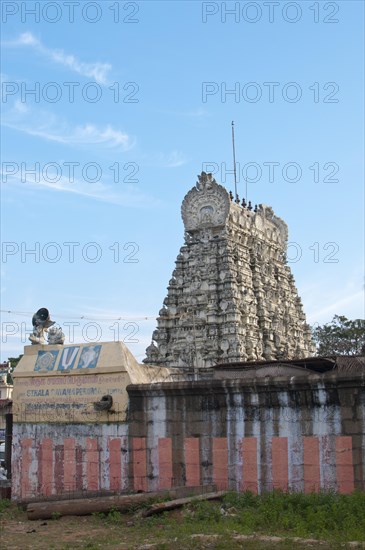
(294, 434)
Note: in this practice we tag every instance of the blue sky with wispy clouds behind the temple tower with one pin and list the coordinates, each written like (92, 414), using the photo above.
(131, 101)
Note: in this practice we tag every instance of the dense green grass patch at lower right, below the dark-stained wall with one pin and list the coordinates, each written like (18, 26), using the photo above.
(326, 516)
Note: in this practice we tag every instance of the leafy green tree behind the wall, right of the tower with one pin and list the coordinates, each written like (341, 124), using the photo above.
(340, 337)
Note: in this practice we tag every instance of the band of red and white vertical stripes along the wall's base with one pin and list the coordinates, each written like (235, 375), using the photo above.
(52, 466)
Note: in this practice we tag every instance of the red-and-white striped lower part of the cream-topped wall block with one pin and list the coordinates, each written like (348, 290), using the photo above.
(54, 459)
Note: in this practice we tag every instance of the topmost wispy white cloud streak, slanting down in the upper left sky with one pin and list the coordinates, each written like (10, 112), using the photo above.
(98, 71)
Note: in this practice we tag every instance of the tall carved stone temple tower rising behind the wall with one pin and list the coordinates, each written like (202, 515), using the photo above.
(231, 297)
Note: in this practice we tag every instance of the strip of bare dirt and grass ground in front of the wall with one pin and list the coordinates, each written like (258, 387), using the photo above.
(219, 524)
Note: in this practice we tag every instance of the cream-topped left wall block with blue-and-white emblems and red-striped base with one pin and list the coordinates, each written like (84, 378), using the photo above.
(61, 443)
